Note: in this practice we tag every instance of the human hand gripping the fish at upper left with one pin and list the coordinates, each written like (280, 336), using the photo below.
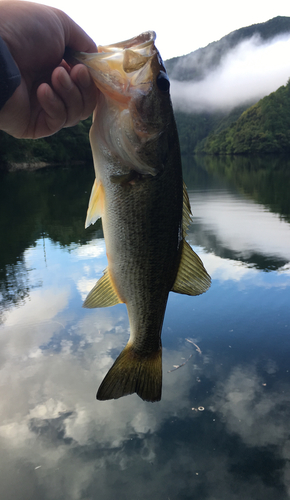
(51, 95)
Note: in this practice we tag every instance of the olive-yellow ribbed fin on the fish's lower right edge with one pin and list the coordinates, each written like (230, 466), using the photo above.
(192, 278)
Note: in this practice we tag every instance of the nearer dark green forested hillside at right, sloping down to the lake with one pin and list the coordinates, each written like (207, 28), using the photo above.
(263, 128)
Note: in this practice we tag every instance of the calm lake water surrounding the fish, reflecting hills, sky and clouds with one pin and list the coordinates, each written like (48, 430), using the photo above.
(222, 428)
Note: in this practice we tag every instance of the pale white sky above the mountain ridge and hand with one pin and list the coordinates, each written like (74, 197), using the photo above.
(181, 27)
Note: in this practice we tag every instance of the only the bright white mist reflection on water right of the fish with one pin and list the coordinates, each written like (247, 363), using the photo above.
(241, 224)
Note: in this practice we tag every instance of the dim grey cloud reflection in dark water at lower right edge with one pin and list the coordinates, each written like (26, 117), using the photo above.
(248, 409)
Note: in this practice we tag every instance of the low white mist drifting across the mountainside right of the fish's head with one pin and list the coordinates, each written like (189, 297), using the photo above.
(246, 73)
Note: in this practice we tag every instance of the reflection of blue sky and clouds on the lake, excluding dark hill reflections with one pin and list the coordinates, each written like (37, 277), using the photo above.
(58, 442)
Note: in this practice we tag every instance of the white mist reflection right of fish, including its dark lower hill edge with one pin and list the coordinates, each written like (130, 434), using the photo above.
(238, 228)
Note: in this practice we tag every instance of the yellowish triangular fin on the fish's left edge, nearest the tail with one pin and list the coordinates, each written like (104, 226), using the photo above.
(103, 294)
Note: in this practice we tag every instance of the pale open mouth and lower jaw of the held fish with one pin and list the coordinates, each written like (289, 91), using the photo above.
(123, 69)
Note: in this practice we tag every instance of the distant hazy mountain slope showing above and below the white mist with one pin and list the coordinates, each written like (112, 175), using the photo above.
(195, 127)
